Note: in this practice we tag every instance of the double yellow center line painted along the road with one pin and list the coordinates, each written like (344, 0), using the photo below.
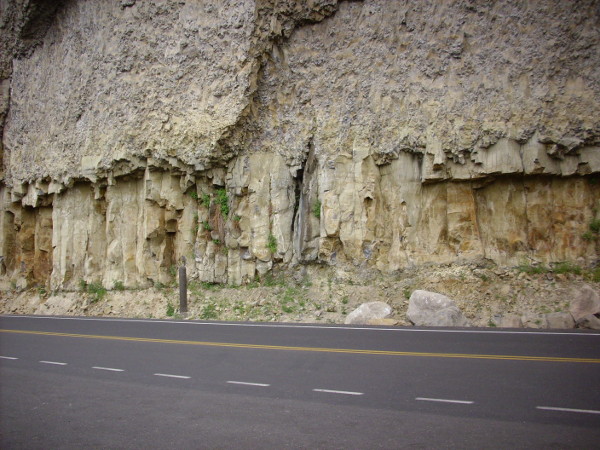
(311, 349)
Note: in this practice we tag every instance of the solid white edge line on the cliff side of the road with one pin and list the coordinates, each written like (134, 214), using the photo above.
(224, 324)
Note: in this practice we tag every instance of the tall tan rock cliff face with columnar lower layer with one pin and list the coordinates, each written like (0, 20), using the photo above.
(268, 133)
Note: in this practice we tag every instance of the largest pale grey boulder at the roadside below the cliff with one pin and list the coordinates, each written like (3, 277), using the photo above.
(434, 310)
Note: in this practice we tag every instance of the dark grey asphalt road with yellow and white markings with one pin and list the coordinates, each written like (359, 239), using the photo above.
(116, 383)
